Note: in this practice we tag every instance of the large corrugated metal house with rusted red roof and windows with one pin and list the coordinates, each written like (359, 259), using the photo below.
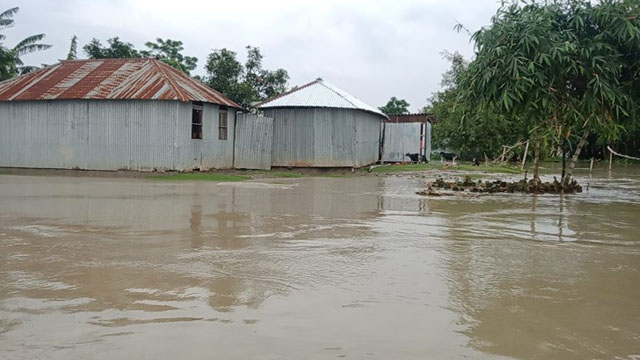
(110, 114)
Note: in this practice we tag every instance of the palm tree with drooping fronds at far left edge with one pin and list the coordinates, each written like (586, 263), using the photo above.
(10, 62)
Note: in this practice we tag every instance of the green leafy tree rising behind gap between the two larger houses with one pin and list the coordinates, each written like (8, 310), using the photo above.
(246, 84)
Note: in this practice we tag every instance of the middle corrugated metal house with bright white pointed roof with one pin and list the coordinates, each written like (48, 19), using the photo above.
(320, 125)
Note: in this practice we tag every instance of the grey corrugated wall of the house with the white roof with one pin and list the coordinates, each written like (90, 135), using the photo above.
(324, 137)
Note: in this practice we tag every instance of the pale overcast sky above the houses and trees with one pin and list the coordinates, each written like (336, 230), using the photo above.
(372, 49)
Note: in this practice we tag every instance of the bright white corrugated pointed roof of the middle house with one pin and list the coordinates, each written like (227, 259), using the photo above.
(319, 93)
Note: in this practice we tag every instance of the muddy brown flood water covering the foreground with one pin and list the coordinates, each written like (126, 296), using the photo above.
(316, 268)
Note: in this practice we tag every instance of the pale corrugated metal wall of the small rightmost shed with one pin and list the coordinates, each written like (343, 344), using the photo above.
(400, 139)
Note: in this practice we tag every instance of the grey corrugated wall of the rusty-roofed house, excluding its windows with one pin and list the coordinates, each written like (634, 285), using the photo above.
(110, 135)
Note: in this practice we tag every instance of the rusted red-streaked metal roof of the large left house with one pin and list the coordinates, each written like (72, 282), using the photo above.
(100, 79)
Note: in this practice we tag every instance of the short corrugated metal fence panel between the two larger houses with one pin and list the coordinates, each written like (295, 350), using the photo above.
(253, 142)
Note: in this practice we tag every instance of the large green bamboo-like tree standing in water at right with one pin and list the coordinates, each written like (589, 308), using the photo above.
(560, 64)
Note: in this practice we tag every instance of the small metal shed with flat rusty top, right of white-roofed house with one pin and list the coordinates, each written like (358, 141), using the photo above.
(407, 134)
